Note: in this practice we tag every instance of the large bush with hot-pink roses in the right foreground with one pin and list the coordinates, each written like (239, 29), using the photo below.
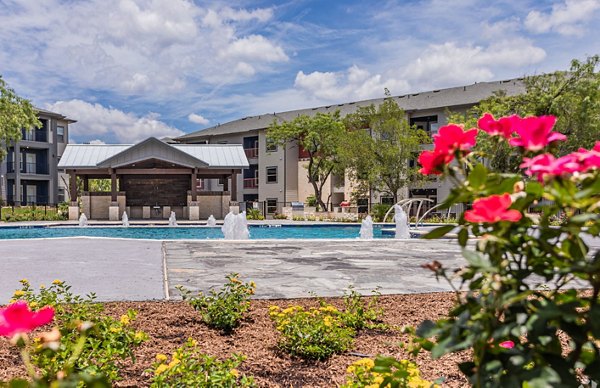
(527, 305)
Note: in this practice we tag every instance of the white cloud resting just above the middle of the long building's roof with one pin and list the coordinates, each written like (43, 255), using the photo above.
(351, 85)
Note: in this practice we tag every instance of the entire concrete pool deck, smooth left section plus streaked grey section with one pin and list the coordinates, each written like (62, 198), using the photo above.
(148, 270)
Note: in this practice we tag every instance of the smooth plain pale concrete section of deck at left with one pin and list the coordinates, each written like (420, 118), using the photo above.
(113, 269)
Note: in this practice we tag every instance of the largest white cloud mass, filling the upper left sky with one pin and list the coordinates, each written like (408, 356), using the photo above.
(155, 49)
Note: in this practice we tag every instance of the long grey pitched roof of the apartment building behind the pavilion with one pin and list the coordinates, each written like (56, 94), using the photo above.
(457, 96)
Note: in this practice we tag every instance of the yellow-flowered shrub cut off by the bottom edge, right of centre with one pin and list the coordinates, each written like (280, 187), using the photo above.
(384, 372)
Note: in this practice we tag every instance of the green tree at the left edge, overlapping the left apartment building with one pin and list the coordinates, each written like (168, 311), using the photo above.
(15, 113)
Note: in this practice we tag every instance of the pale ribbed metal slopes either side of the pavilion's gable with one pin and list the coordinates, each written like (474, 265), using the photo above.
(214, 155)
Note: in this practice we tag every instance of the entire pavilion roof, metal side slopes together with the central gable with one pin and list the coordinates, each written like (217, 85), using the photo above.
(210, 156)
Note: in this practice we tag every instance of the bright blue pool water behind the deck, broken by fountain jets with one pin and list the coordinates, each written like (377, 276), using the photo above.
(192, 233)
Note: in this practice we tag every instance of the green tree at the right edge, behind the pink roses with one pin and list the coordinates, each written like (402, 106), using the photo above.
(572, 96)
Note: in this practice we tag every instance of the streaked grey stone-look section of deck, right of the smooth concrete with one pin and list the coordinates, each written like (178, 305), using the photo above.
(295, 268)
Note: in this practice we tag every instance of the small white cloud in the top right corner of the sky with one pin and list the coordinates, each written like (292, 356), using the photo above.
(566, 18)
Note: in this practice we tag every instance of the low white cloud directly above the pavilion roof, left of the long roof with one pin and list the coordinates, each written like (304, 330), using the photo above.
(95, 121)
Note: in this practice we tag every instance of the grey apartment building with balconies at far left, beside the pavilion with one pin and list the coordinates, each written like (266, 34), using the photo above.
(29, 174)
